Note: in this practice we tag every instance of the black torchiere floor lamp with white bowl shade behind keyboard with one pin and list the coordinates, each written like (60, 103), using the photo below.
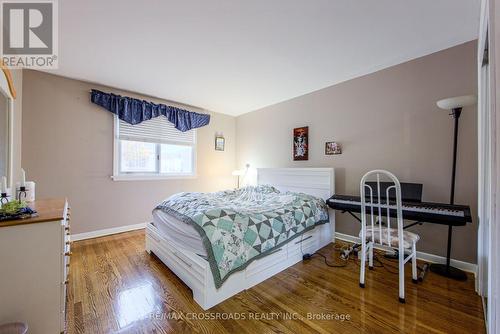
(454, 105)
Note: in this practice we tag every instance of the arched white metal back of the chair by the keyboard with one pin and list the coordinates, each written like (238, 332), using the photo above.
(378, 199)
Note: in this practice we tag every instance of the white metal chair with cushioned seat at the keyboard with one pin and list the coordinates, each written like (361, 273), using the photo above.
(374, 233)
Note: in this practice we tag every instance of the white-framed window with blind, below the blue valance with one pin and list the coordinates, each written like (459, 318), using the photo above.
(153, 149)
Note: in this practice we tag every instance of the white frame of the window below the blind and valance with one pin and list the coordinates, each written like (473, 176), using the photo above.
(119, 175)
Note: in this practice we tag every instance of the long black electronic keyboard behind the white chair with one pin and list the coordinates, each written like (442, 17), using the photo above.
(439, 213)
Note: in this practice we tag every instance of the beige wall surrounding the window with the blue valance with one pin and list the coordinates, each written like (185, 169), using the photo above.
(68, 151)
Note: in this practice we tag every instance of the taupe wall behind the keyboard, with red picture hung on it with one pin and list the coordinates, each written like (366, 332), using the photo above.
(388, 119)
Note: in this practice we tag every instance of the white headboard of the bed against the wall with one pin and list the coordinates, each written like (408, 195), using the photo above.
(319, 182)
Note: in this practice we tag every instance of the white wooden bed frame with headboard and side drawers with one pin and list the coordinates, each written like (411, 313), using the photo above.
(195, 272)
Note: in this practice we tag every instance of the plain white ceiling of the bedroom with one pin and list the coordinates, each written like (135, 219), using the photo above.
(235, 56)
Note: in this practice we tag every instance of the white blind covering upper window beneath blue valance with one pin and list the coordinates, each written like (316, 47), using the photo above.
(155, 130)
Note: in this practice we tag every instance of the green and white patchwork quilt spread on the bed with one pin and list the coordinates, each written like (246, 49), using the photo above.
(239, 226)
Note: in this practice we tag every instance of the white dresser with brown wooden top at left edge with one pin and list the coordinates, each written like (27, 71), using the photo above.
(34, 265)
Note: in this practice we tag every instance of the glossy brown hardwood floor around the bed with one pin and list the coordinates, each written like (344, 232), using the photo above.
(116, 287)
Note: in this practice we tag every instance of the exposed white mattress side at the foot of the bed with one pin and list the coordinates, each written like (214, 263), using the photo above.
(179, 233)
